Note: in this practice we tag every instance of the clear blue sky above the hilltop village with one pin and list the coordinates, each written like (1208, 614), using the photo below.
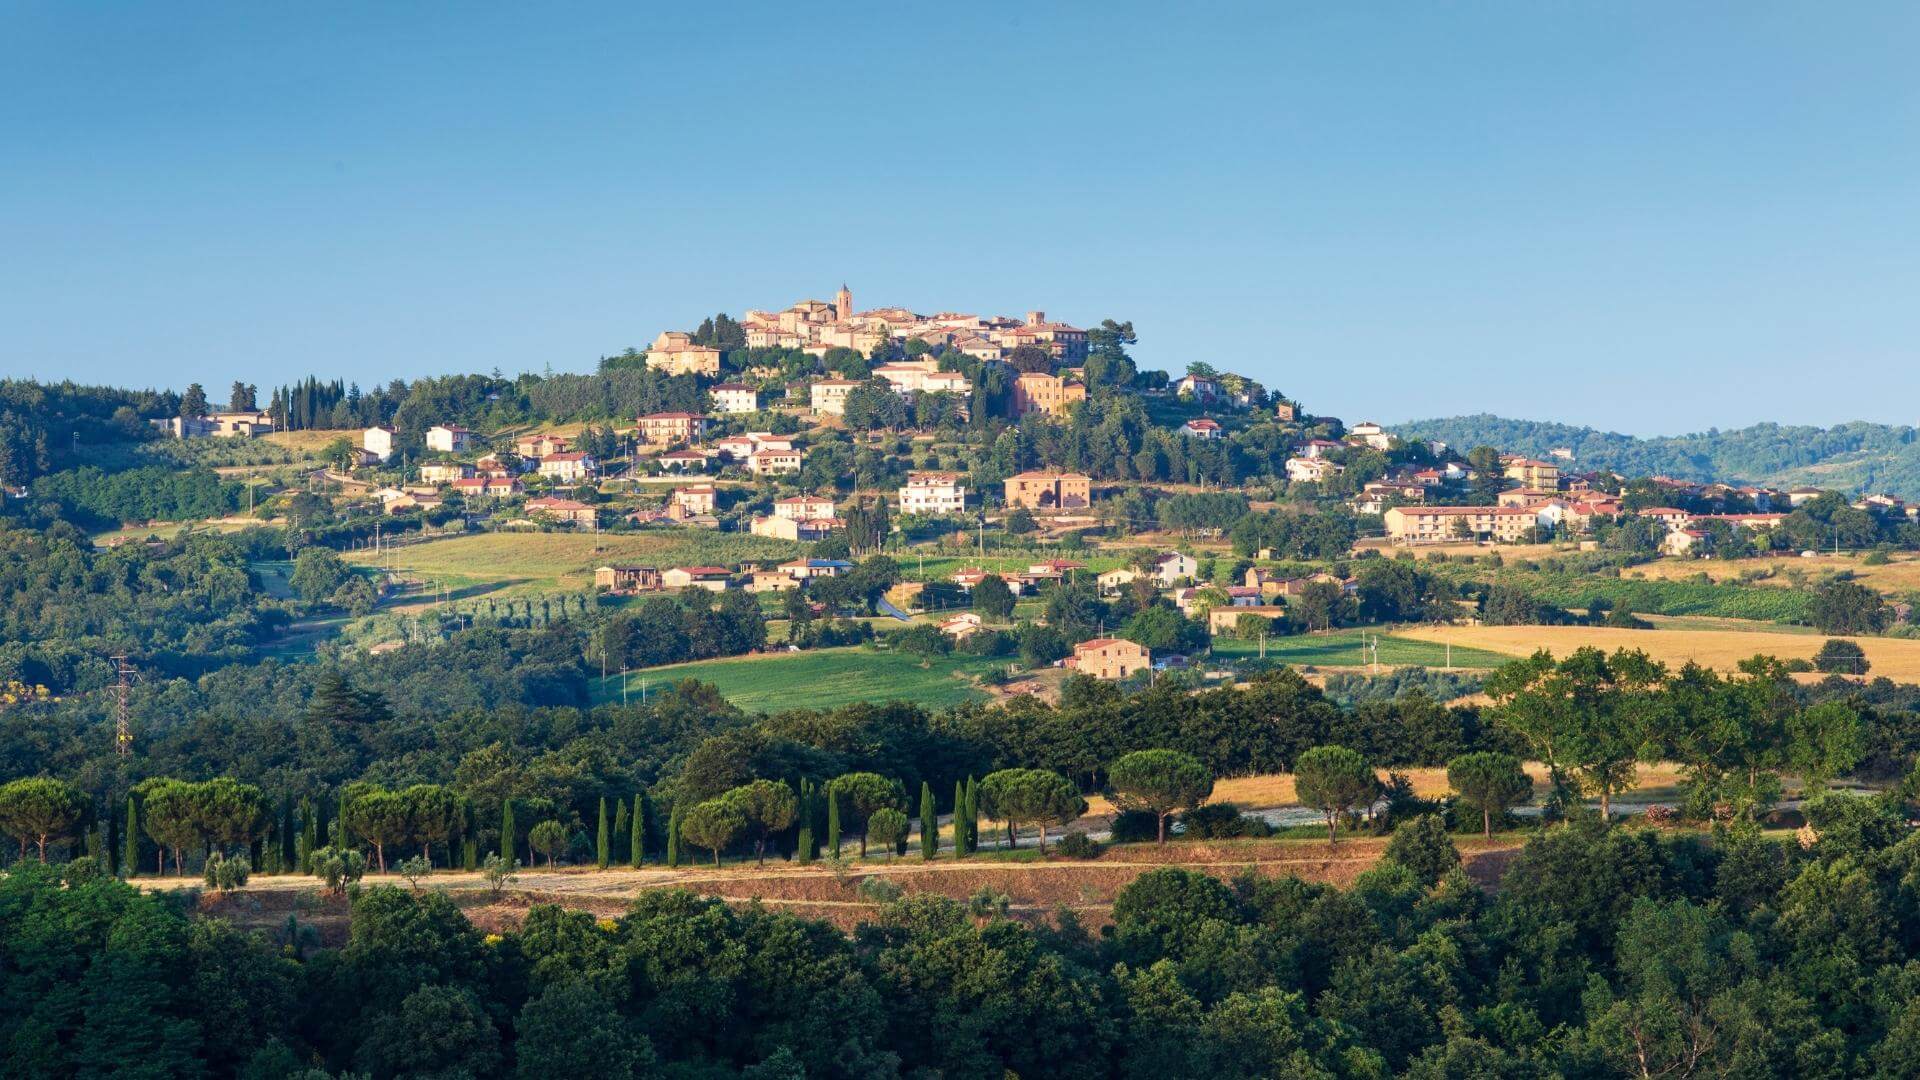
(1650, 218)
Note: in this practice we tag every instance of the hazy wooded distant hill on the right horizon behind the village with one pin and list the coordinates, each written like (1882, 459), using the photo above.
(1856, 456)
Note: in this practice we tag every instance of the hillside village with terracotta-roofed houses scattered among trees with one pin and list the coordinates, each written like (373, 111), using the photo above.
(1080, 514)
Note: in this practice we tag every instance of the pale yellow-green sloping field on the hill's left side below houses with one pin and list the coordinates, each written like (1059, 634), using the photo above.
(565, 560)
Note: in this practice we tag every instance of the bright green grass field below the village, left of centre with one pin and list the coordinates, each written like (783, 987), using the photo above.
(819, 679)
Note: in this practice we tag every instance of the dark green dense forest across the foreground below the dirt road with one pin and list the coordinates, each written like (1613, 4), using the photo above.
(1606, 952)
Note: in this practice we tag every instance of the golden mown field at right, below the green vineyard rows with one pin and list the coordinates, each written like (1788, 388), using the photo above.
(1723, 650)
